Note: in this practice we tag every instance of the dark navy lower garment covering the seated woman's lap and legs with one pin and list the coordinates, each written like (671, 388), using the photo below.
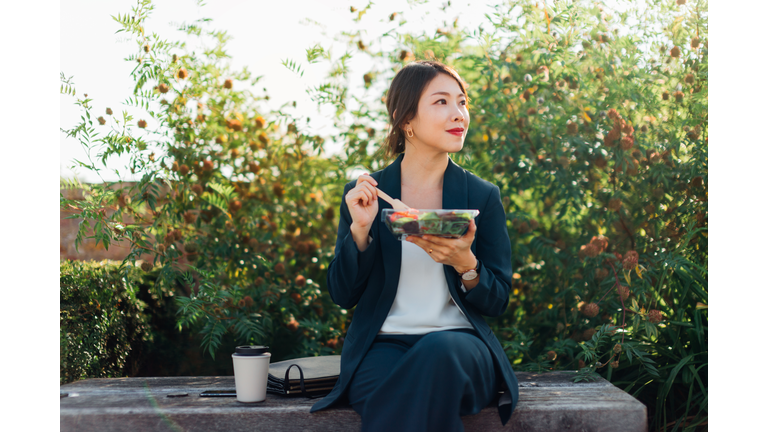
(423, 382)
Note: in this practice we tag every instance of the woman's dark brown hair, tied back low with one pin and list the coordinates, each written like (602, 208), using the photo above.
(404, 94)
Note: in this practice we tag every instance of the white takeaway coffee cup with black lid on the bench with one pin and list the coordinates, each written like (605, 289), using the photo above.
(251, 364)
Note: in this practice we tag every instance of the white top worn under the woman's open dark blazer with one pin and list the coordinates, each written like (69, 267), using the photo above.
(423, 303)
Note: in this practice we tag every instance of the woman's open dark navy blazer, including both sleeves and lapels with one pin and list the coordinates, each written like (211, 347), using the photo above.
(369, 279)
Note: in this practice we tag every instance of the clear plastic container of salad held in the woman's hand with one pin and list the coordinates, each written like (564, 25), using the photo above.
(436, 222)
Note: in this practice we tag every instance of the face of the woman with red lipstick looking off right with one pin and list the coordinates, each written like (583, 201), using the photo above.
(442, 118)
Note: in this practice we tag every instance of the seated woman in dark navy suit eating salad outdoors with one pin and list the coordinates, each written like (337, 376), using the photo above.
(418, 353)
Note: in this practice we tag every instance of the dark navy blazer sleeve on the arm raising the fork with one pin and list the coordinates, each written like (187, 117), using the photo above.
(349, 270)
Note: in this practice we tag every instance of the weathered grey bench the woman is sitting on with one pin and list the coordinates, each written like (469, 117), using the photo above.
(548, 402)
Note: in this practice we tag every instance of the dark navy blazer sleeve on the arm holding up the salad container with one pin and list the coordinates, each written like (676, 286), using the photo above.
(494, 255)
